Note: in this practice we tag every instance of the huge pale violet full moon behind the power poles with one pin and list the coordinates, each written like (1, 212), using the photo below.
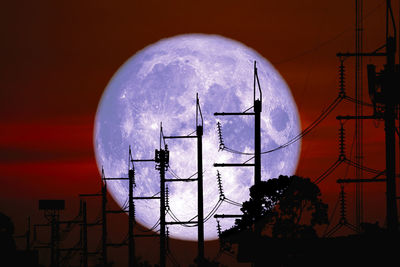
(159, 84)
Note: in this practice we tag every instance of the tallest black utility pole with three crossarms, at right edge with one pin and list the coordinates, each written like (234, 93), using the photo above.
(382, 90)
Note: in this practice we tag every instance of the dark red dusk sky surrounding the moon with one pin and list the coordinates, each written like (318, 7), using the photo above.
(58, 56)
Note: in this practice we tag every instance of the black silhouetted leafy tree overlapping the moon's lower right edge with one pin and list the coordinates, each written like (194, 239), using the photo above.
(284, 207)
